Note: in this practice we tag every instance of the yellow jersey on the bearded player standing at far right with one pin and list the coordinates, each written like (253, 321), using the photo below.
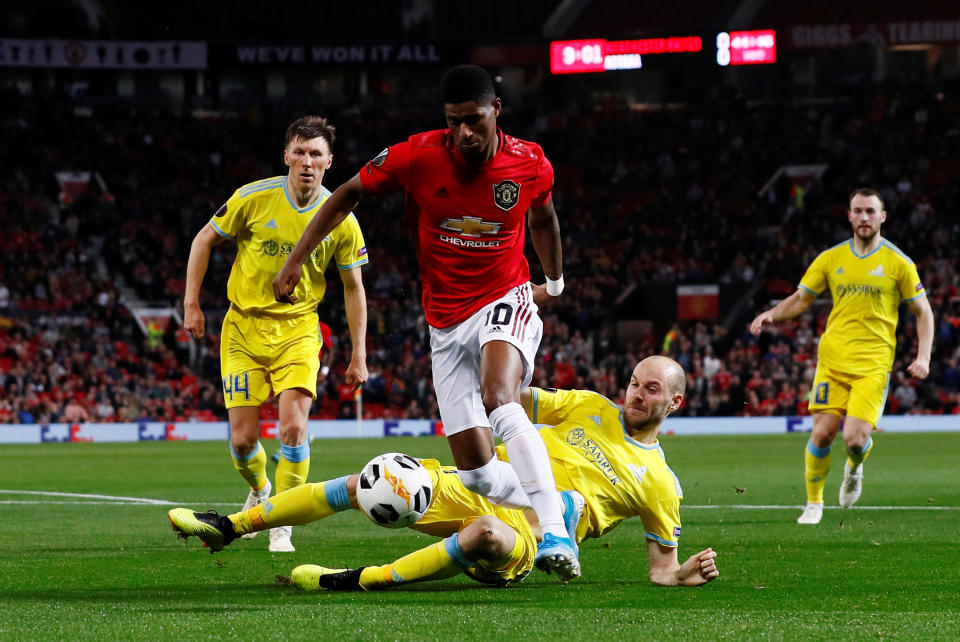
(860, 337)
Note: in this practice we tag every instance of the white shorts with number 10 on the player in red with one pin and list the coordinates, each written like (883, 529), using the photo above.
(455, 353)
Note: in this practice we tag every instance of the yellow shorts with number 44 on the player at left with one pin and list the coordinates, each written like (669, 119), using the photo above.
(260, 354)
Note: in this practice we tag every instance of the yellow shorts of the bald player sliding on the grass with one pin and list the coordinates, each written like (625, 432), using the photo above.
(453, 508)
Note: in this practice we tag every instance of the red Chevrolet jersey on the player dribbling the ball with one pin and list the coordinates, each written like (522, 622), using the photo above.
(470, 218)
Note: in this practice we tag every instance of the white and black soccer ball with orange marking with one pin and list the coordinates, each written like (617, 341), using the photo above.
(394, 490)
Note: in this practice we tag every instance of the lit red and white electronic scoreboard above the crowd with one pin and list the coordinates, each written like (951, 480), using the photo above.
(597, 54)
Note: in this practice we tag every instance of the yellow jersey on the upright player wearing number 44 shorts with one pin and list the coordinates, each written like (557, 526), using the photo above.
(266, 223)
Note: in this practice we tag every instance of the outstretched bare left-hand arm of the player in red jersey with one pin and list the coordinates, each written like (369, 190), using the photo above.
(336, 208)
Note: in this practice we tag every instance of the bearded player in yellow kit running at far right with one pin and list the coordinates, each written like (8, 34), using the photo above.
(867, 277)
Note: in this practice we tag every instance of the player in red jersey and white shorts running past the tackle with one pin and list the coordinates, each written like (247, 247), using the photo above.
(470, 191)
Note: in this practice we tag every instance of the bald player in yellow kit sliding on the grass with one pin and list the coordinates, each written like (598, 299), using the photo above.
(605, 459)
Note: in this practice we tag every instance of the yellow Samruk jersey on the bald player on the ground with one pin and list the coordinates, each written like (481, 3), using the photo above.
(619, 477)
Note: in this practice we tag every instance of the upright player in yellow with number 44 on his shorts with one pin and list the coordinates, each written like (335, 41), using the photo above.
(268, 347)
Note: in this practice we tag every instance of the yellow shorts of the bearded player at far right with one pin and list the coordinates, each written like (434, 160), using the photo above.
(844, 394)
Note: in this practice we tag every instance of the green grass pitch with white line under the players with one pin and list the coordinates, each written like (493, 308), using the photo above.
(76, 567)
